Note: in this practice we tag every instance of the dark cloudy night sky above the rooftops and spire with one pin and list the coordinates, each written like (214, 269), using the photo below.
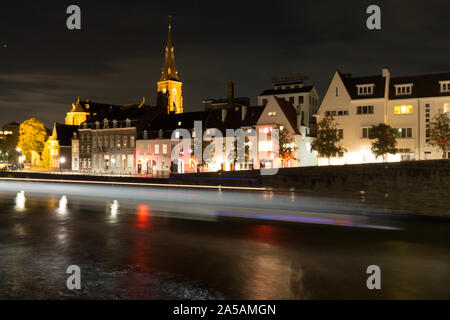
(118, 54)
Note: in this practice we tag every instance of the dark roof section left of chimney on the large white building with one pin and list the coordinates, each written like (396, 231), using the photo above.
(351, 83)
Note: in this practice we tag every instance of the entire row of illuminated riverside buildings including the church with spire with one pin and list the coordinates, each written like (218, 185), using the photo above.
(138, 139)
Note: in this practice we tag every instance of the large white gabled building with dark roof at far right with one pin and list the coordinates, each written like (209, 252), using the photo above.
(407, 104)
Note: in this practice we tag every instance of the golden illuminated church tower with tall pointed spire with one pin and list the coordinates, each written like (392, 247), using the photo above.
(170, 85)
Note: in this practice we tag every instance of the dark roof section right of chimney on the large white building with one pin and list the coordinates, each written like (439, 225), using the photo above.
(423, 85)
